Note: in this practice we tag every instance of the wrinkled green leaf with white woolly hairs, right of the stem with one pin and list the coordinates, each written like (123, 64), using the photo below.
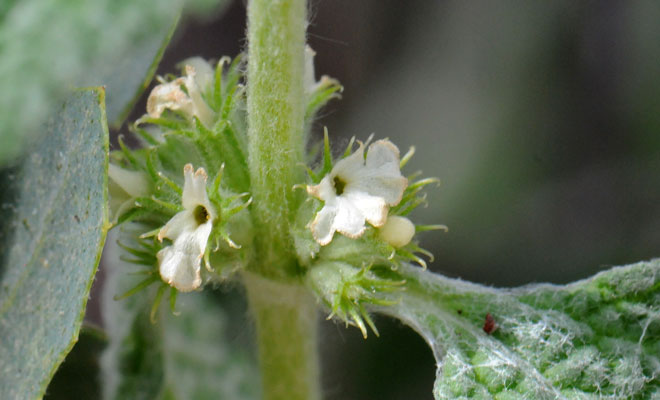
(594, 339)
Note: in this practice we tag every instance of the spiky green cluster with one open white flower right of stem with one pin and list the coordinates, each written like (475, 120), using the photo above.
(363, 197)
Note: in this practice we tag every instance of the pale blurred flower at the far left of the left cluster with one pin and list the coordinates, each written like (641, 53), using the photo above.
(123, 187)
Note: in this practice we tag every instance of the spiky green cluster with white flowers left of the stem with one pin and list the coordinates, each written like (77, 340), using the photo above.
(179, 221)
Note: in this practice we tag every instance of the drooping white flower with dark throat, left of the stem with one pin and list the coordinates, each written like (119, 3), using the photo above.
(179, 264)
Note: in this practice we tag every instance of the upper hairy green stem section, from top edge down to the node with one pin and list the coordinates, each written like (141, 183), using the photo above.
(276, 111)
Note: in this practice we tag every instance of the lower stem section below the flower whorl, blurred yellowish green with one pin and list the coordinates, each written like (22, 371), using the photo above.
(286, 323)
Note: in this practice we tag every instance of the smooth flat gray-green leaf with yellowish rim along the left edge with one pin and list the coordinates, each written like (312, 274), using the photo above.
(53, 224)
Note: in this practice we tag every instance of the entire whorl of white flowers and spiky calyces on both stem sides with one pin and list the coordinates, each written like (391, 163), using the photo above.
(352, 229)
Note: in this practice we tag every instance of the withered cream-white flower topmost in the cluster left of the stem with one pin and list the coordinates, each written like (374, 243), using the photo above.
(170, 95)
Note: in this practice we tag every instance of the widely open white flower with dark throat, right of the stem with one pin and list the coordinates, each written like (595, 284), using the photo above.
(355, 191)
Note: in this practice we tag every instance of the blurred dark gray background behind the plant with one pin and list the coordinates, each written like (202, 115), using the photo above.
(541, 119)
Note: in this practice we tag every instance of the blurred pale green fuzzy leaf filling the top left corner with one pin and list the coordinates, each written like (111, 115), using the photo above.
(47, 46)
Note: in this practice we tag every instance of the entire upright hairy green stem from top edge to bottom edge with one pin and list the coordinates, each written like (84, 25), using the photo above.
(284, 314)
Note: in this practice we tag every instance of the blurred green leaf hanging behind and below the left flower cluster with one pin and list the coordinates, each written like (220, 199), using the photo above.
(193, 355)
